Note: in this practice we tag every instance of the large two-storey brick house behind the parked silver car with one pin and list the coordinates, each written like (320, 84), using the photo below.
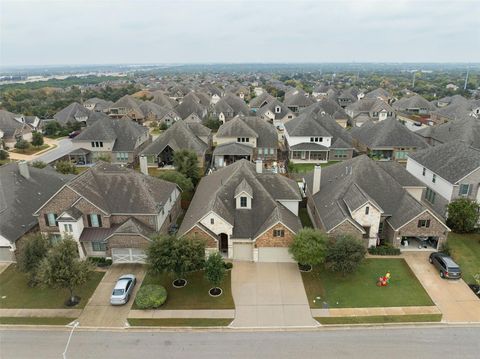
(111, 211)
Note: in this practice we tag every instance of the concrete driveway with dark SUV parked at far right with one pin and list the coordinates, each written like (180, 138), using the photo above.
(453, 297)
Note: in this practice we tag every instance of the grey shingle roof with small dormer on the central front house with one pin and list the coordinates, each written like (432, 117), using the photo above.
(216, 193)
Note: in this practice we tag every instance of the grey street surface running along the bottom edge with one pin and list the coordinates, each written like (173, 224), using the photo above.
(371, 343)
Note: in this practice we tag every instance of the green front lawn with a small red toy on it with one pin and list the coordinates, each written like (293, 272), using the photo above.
(359, 290)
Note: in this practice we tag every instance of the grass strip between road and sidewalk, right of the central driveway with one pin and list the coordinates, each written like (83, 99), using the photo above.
(381, 319)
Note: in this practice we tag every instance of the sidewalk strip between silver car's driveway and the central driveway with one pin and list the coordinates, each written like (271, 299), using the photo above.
(200, 313)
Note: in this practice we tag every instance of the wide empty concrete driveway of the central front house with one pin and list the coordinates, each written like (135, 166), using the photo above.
(269, 295)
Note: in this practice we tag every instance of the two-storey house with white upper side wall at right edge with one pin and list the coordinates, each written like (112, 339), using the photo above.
(450, 171)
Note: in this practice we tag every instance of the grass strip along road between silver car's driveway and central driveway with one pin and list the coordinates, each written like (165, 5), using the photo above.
(180, 322)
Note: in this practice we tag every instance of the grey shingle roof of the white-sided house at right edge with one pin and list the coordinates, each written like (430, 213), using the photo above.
(452, 161)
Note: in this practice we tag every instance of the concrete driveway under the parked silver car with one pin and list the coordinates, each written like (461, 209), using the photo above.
(98, 312)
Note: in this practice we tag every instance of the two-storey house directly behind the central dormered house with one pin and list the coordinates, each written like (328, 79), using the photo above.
(248, 138)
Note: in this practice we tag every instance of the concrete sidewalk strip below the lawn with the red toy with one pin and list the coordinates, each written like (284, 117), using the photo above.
(365, 312)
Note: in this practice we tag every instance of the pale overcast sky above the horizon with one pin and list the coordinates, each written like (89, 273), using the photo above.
(77, 32)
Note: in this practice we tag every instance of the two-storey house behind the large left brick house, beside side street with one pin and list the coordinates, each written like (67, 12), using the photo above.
(118, 139)
